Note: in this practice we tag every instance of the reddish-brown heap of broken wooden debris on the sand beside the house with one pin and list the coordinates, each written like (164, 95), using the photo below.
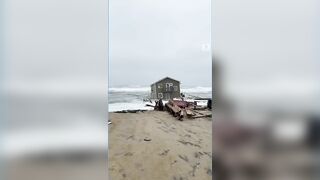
(181, 109)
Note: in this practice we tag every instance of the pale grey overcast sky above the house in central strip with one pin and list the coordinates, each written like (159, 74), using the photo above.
(150, 40)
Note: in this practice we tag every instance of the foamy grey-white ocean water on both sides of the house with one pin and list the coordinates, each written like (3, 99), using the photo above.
(131, 98)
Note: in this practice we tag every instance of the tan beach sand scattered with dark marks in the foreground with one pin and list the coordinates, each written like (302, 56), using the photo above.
(154, 145)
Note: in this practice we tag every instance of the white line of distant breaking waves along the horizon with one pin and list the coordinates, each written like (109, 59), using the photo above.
(198, 89)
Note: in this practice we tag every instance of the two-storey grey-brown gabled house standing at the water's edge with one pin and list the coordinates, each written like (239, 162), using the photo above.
(166, 88)
